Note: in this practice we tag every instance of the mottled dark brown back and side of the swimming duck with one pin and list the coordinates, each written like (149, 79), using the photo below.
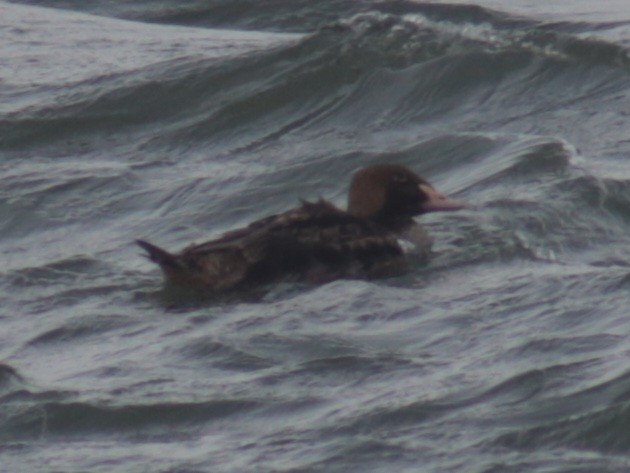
(315, 242)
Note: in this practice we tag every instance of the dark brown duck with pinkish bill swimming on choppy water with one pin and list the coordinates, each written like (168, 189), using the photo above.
(316, 242)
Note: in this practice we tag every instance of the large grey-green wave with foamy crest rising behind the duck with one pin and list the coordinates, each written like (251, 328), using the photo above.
(443, 58)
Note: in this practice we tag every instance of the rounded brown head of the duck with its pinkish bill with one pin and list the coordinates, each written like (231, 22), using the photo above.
(392, 194)
